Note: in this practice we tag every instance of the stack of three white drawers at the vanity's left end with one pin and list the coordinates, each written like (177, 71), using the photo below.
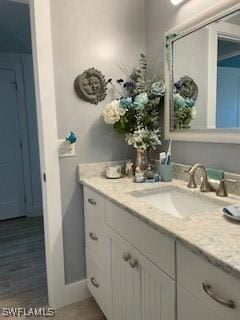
(96, 249)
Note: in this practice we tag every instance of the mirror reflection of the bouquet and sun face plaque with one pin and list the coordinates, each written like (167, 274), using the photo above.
(184, 99)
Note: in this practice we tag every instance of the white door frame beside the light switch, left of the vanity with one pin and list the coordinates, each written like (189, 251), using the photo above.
(43, 65)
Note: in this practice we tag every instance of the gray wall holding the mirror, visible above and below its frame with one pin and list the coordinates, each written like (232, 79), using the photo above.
(161, 16)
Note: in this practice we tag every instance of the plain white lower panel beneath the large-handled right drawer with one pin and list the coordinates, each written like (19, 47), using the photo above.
(190, 308)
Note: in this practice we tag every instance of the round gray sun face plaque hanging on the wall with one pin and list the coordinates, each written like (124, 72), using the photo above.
(91, 86)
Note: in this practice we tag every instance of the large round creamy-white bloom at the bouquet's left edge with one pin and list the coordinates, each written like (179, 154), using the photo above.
(112, 112)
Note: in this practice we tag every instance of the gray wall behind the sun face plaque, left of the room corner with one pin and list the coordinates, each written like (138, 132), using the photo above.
(99, 33)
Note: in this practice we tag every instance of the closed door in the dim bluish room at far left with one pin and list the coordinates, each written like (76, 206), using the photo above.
(12, 193)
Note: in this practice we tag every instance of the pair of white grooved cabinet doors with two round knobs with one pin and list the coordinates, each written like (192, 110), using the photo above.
(140, 290)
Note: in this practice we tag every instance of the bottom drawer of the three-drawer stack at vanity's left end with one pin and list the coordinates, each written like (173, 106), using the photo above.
(96, 280)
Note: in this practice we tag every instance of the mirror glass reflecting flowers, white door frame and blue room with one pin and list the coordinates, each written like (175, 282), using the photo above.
(206, 77)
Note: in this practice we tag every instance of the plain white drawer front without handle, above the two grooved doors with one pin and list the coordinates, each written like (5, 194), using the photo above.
(157, 247)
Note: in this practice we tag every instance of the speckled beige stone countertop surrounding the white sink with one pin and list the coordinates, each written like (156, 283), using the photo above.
(210, 235)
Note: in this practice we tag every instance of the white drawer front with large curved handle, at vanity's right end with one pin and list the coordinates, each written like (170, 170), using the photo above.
(194, 273)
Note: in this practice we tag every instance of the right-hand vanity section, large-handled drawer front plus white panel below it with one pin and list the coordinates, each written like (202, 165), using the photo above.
(205, 291)
